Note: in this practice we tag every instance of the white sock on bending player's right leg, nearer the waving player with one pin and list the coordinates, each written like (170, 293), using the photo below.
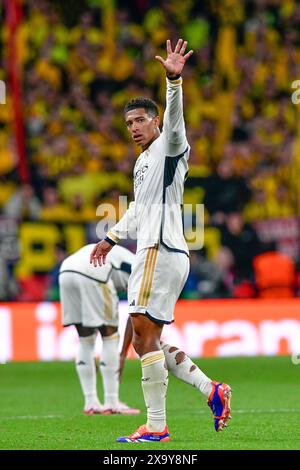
(109, 366)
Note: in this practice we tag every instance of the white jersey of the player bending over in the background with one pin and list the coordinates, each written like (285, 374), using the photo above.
(117, 266)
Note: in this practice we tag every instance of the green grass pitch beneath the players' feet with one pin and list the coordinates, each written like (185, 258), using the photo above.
(41, 408)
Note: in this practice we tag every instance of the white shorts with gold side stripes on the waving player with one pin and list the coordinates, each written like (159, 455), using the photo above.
(156, 281)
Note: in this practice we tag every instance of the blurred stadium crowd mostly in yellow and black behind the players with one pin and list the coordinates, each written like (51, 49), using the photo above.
(82, 64)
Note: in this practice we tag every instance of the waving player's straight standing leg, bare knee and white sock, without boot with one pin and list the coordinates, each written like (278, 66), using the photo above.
(146, 342)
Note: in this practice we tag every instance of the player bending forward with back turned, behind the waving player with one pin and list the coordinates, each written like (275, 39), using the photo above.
(89, 301)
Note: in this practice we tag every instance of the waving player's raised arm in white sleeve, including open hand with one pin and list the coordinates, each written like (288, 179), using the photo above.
(173, 123)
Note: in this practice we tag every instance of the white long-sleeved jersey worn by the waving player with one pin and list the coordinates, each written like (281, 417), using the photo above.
(159, 175)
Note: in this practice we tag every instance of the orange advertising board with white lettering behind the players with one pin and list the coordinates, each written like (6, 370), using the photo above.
(208, 328)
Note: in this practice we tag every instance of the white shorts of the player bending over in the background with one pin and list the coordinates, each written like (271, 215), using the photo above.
(88, 302)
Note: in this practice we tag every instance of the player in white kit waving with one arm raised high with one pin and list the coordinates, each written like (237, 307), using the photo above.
(161, 264)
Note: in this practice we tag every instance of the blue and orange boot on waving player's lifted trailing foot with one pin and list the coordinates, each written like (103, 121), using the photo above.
(219, 403)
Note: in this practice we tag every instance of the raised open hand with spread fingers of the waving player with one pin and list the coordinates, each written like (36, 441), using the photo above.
(175, 61)
